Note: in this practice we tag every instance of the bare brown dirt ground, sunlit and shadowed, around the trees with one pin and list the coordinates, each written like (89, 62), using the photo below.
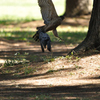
(70, 78)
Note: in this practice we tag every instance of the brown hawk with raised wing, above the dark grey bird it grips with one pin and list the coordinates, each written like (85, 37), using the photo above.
(50, 17)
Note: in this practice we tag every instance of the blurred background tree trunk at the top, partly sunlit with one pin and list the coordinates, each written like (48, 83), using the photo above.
(78, 7)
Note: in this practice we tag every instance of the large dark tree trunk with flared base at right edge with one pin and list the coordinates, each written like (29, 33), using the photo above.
(92, 39)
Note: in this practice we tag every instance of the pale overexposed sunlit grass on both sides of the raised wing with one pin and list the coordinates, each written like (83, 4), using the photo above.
(23, 10)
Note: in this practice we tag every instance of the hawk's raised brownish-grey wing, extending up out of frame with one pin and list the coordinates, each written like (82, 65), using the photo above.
(48, 10)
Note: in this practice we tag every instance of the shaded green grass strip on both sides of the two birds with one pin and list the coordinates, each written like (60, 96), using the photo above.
(68, 37)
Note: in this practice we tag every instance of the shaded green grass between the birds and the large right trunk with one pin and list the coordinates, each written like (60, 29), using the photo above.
(70, 37)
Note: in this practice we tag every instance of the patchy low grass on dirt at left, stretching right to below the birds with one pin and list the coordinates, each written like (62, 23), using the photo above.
(20, 66)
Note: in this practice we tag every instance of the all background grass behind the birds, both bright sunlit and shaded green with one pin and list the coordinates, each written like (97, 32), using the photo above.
(14, 12)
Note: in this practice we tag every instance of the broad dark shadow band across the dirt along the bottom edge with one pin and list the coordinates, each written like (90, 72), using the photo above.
(78, 92)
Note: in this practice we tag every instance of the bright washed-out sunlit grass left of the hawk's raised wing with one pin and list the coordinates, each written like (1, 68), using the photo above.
(19, 9)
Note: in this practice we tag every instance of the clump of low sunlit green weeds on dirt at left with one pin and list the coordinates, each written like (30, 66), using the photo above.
(20, 62)
